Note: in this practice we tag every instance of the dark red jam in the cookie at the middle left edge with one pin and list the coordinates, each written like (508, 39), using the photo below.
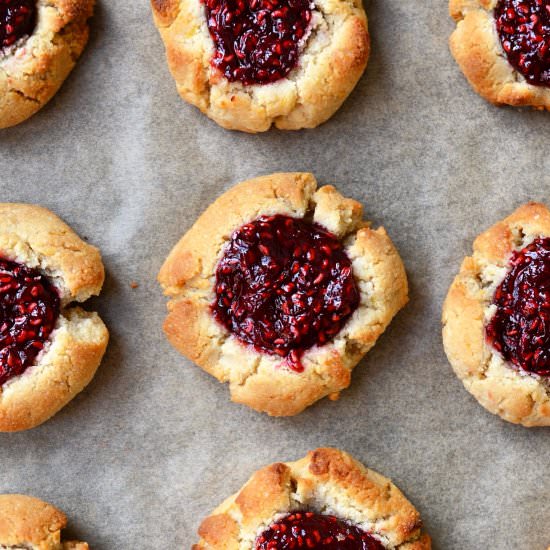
(29, 308)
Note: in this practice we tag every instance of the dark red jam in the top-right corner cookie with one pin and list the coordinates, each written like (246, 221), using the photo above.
(524, 30)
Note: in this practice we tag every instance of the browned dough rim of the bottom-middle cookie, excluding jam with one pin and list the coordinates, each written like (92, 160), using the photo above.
(326, 481)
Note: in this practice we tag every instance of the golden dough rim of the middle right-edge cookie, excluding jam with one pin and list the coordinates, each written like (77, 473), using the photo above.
(515, 396)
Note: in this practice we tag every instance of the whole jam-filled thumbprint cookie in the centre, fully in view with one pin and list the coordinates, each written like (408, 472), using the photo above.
(280, 289)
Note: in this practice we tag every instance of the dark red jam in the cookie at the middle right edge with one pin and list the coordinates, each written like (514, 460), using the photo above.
(520, 328)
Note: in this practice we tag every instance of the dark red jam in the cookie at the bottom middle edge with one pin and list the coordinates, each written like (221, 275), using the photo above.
(315, 531)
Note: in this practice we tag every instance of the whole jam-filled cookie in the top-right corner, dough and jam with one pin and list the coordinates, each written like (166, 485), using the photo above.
(502, 47)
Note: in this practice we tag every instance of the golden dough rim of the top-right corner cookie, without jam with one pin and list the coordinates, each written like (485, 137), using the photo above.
(476, 48)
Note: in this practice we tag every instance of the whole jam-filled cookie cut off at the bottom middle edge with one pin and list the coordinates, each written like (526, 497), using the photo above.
(327, 495)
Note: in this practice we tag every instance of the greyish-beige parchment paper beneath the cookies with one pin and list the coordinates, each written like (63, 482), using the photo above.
(153, 444)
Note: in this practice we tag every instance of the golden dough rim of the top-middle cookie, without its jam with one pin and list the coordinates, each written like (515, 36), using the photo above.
(332, 61)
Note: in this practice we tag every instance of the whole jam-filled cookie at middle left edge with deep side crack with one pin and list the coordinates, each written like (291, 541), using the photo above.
(49, 349)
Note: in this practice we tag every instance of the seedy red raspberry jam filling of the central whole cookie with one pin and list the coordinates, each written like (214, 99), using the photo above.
(284, 285)
